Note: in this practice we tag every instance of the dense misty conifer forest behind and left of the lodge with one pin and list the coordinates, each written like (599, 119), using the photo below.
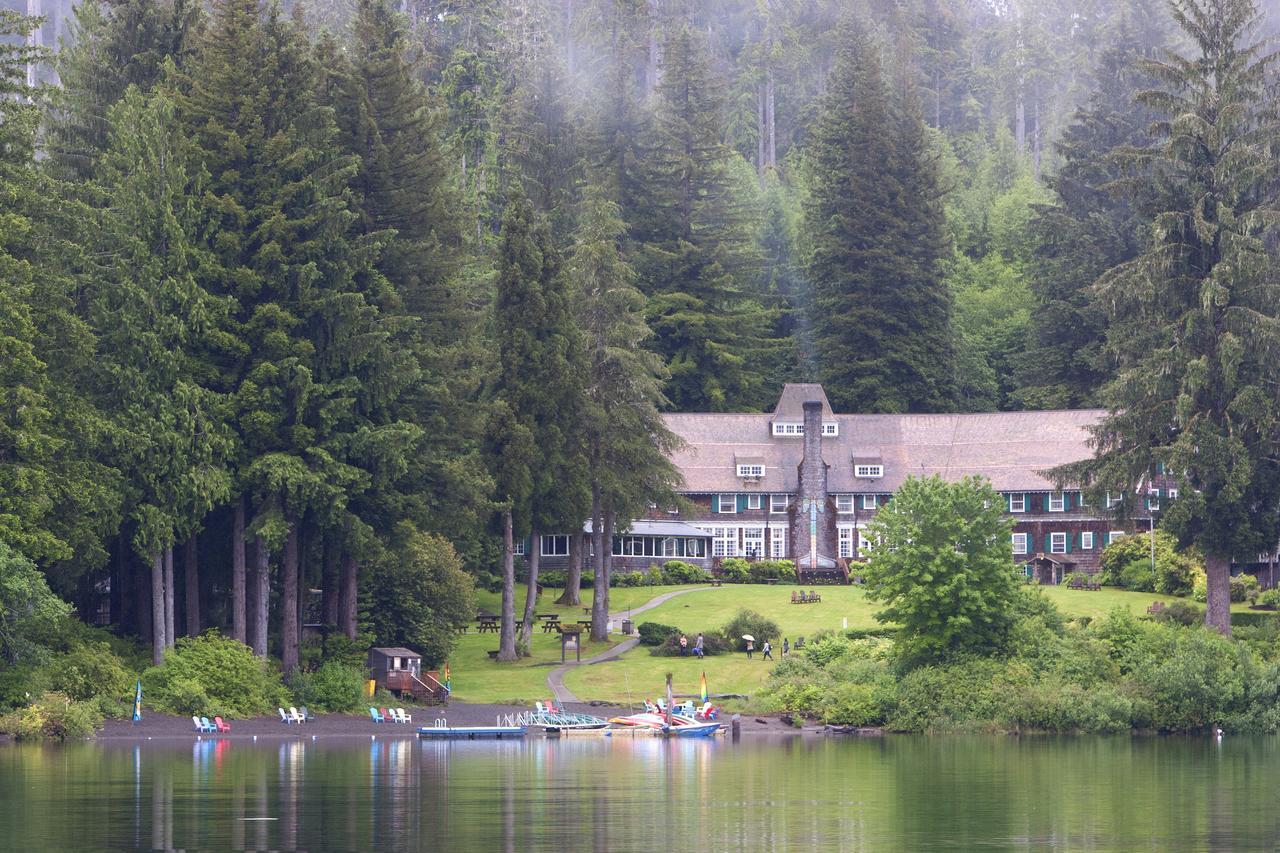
(353, 298)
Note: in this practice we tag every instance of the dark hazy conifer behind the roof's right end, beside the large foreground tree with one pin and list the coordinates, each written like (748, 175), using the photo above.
(1089, 230)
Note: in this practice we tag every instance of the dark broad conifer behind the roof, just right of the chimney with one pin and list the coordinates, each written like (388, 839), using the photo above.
(881, 313)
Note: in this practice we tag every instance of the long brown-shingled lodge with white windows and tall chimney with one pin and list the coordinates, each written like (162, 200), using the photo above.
(803, 483)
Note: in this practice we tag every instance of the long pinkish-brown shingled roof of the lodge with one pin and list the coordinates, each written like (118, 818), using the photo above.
(1011, 449)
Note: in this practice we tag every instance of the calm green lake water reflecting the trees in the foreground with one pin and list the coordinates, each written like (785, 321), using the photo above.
(902, 793)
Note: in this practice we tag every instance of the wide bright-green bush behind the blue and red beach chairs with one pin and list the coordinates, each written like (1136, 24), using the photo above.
(227, 674)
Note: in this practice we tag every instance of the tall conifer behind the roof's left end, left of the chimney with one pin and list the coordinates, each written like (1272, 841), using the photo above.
(700, 263)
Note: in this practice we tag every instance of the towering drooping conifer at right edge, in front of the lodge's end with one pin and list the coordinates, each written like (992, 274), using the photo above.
(1195, 317)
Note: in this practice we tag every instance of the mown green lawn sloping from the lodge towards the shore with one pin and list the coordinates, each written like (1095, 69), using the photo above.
(638, 674)
